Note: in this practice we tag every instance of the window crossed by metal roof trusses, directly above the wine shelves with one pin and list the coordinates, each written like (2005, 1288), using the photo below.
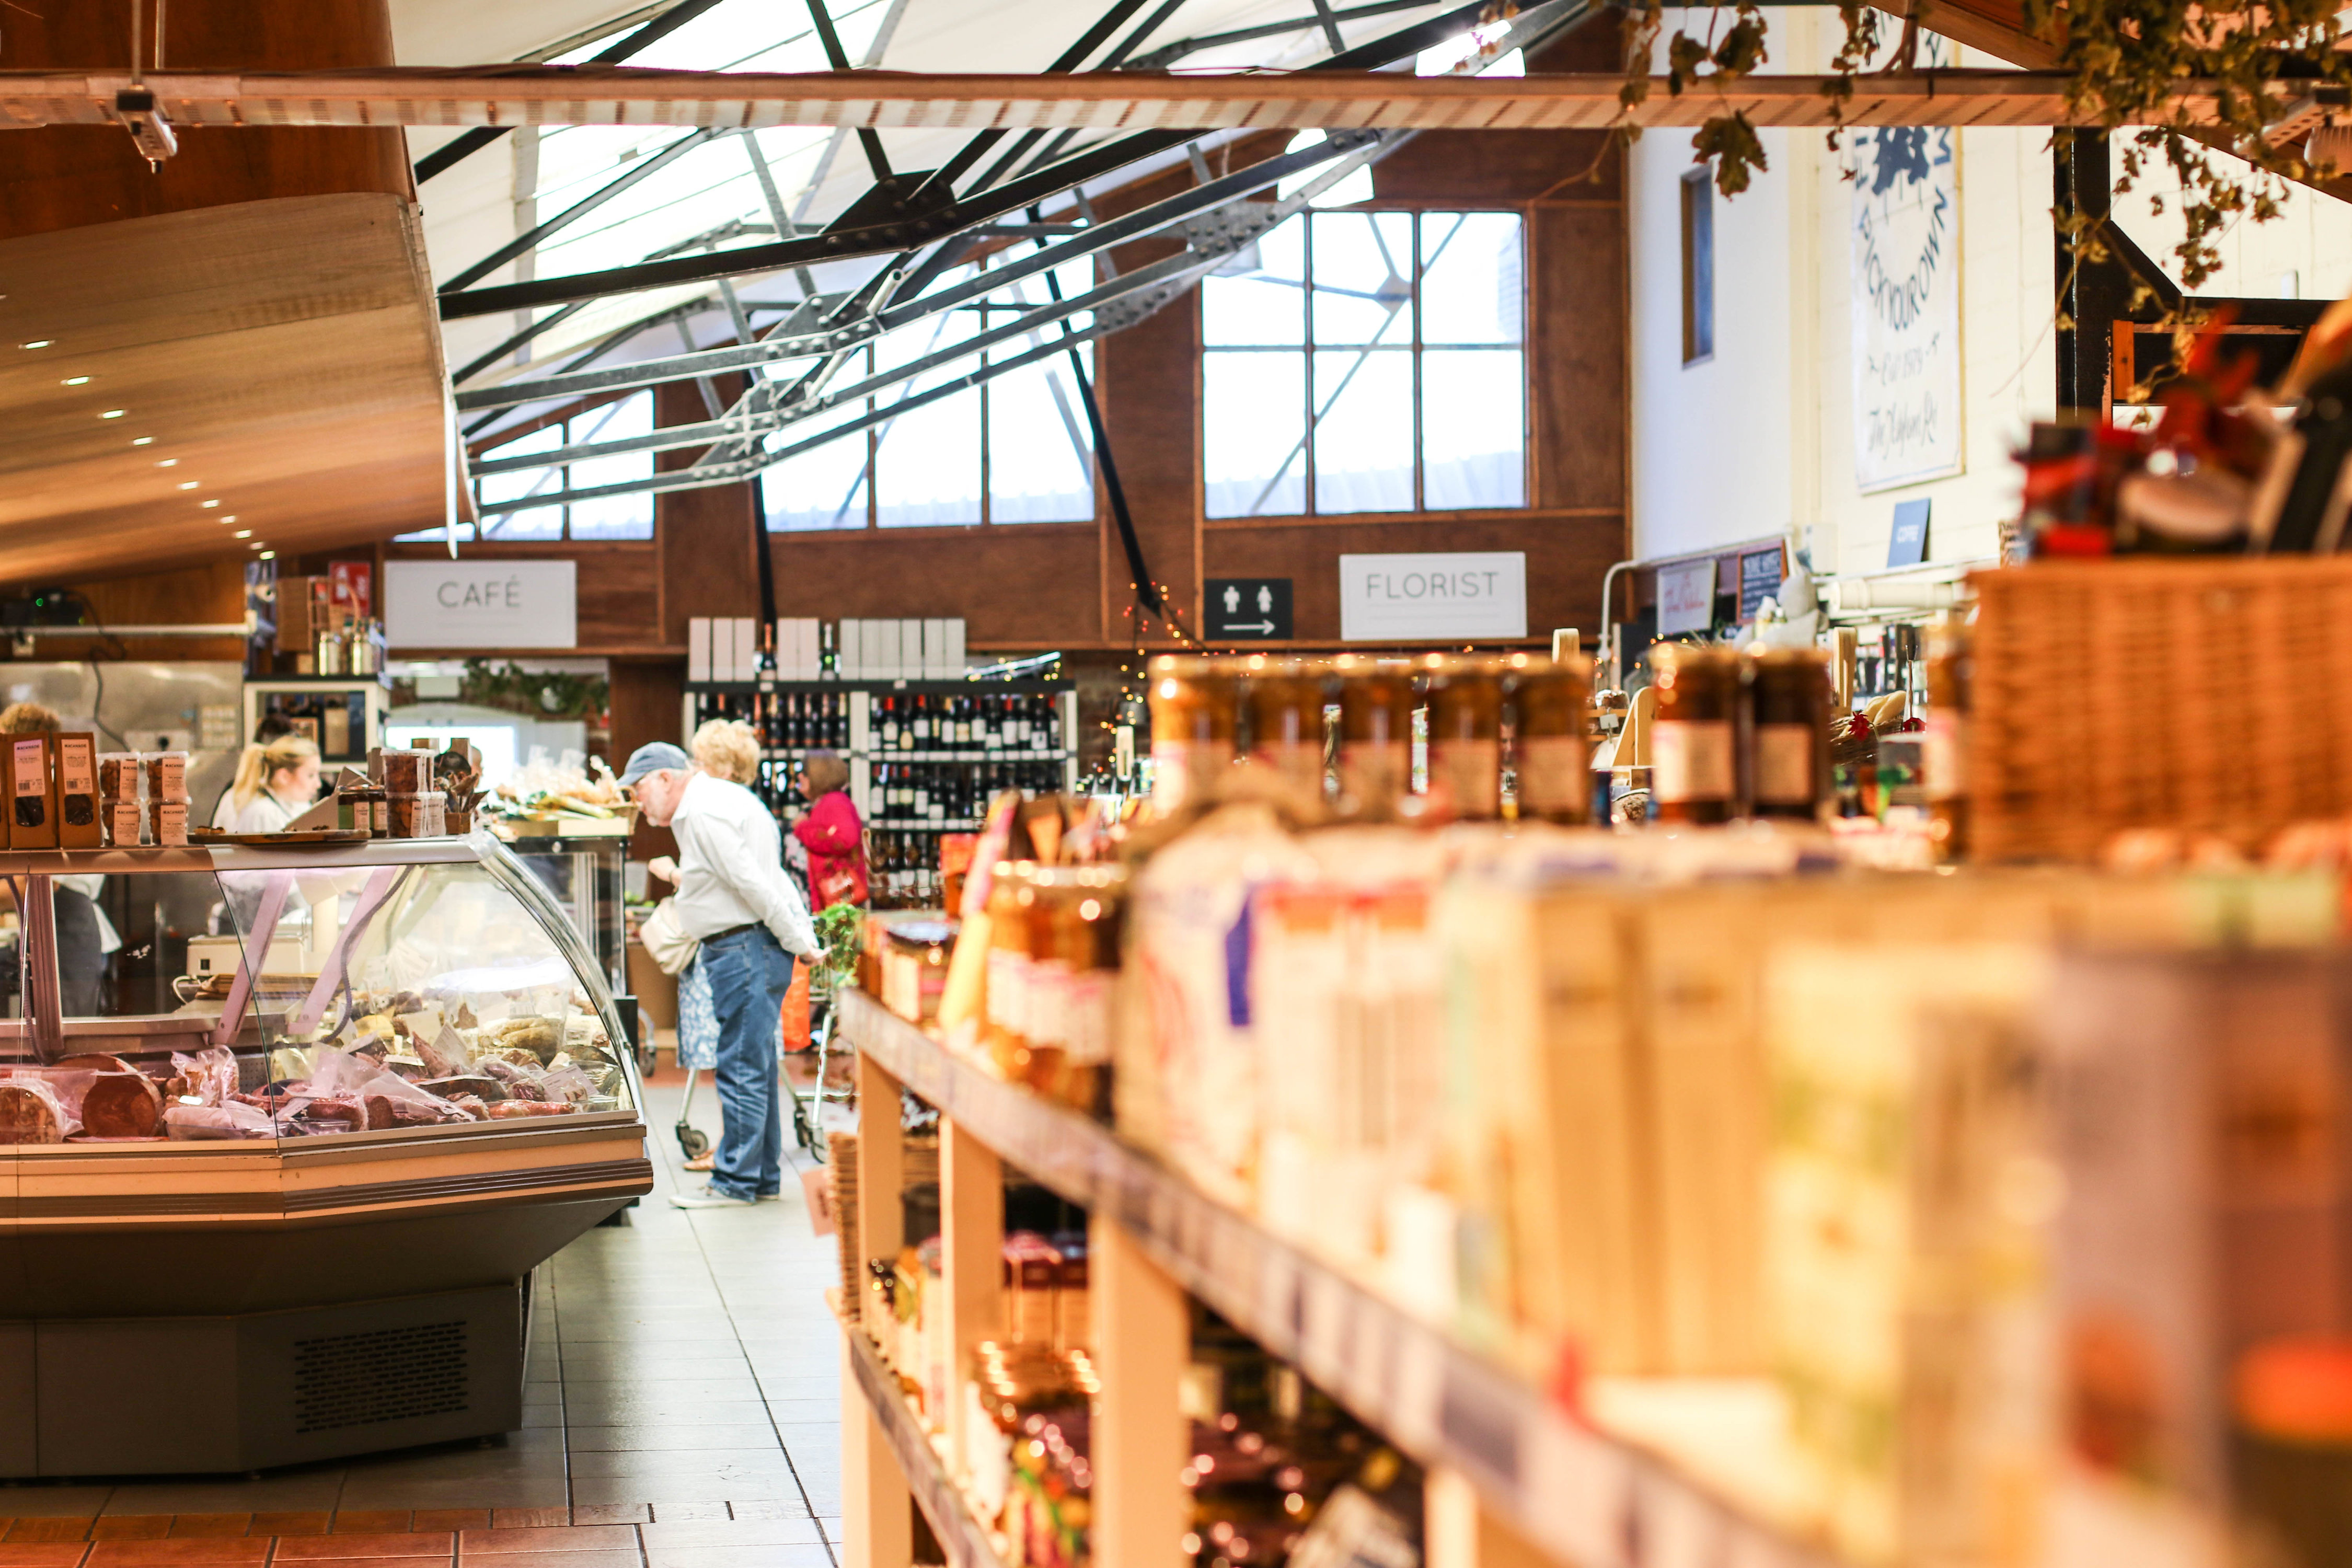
(909, 455)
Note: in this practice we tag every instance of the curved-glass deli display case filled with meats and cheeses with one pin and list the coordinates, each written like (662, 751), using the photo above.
(283, 1205)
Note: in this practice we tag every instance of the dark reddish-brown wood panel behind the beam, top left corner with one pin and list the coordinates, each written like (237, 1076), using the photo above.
(67, 177)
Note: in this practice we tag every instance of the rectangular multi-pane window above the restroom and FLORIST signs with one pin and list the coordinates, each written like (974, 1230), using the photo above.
(1368, 363)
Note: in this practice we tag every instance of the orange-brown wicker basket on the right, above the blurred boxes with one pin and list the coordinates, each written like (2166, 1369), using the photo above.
(2198, 695)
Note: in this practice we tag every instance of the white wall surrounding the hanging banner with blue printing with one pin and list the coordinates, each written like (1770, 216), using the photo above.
(1760, 441)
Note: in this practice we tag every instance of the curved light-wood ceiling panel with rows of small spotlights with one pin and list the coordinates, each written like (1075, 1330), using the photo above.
(283, 356)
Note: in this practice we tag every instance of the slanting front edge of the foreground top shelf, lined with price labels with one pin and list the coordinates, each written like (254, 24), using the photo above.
(1577, 1494)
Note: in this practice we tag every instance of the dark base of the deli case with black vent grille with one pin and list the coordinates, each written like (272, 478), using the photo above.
(194, 1395)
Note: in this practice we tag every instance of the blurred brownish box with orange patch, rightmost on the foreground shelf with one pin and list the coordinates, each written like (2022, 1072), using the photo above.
(2205, 1257)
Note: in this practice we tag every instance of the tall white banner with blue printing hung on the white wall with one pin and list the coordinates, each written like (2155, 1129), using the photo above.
(1906, 304)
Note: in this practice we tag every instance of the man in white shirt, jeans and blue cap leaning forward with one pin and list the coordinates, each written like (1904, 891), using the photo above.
(747, 913)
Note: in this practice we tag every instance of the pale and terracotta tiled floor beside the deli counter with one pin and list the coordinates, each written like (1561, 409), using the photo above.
(683, 1402)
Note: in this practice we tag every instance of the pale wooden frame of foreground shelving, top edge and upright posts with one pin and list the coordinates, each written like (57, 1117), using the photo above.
(1516, 1482)
